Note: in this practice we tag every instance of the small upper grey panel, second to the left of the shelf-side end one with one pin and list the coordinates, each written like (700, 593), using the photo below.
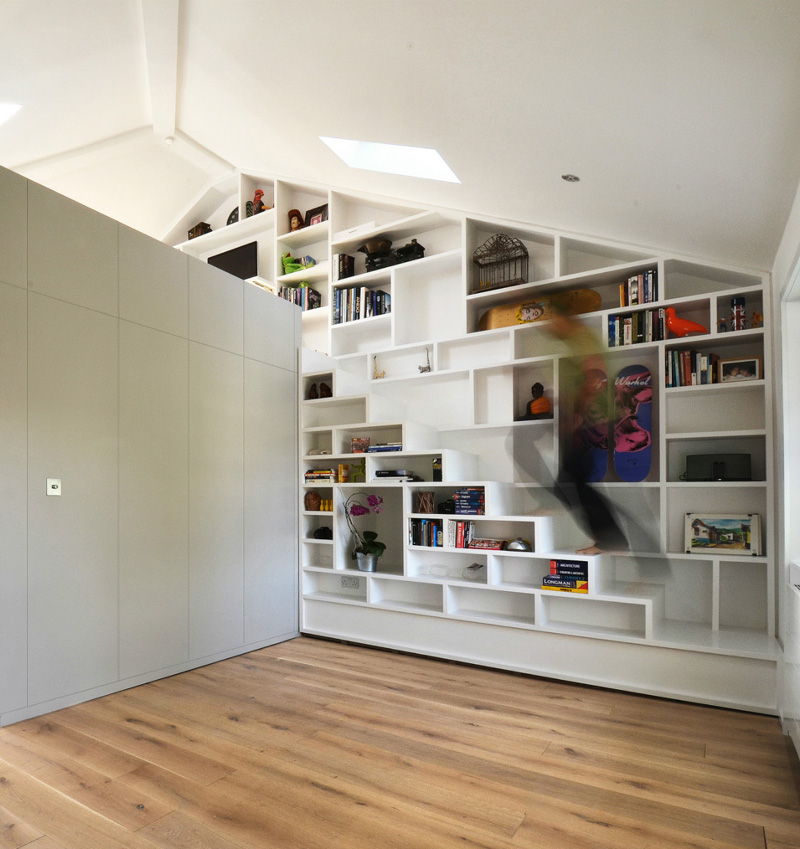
(153, 283)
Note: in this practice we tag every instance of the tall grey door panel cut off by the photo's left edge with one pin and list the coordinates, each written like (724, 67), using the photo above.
(13, 496)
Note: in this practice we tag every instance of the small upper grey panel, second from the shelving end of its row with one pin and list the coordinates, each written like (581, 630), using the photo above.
(216, 308)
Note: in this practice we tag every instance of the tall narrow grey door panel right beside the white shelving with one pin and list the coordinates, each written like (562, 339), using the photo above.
(270, 501)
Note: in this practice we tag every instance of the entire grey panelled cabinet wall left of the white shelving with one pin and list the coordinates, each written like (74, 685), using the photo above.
(163, 393)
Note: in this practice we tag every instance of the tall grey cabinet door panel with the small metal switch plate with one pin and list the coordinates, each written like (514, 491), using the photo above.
(72, 548)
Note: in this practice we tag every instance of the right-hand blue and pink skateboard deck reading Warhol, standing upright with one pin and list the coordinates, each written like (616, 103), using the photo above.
(633, 404)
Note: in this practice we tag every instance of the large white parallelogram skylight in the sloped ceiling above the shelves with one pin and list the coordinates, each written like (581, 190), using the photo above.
(392, 159)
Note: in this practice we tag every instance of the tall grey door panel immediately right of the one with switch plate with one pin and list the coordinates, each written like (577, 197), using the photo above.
(154, 500)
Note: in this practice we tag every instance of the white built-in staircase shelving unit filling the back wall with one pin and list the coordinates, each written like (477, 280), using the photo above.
(656, 619)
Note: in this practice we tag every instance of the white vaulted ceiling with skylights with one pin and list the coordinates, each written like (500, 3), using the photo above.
(681, 117)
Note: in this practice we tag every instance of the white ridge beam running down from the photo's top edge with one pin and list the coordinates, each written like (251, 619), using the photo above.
(160, 18)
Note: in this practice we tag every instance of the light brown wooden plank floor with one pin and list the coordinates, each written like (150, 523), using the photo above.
(319, 745)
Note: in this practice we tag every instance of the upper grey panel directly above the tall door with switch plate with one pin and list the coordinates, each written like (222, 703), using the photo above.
(72, 251)
